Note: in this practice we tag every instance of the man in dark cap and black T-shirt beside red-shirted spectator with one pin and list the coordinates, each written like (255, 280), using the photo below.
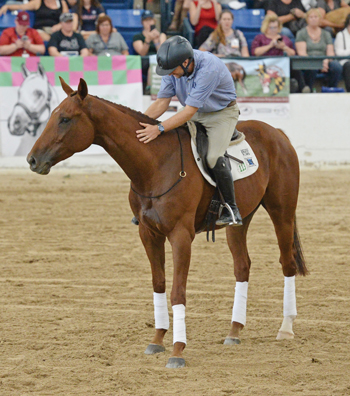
(66, 41)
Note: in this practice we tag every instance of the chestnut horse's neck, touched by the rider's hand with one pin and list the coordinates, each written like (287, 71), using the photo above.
(116, 133)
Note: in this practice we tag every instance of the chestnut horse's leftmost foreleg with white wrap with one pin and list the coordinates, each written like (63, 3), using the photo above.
(154, 246)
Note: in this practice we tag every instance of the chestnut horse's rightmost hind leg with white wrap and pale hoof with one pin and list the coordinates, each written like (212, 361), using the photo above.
(281, 208)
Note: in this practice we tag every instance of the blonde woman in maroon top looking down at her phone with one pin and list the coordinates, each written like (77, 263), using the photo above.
(272, 43)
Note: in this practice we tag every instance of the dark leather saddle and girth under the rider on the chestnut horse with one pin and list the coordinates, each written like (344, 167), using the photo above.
(216, 201)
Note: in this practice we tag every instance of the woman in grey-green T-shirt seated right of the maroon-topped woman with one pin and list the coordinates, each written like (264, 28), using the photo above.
(314, 41)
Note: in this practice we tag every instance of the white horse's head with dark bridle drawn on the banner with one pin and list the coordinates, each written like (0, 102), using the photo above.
(33, 104)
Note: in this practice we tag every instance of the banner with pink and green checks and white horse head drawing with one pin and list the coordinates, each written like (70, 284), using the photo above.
(30, 89)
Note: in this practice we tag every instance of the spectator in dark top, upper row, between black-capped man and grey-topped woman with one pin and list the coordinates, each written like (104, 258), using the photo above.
(85, 15)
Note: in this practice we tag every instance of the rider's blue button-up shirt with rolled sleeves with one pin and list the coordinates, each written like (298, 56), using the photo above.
(209, 88)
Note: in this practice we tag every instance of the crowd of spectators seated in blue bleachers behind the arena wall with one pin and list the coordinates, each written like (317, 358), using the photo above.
(224, 27)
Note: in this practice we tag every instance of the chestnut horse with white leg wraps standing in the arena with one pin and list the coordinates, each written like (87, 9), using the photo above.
(170, 198)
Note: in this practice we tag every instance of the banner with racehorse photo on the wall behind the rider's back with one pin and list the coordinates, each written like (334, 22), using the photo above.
(262, 85)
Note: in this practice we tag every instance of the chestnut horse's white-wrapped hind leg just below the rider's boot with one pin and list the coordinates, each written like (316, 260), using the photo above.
(237, 242)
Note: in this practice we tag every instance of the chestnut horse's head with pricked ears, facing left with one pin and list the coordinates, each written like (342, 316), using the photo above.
(68, 131)
